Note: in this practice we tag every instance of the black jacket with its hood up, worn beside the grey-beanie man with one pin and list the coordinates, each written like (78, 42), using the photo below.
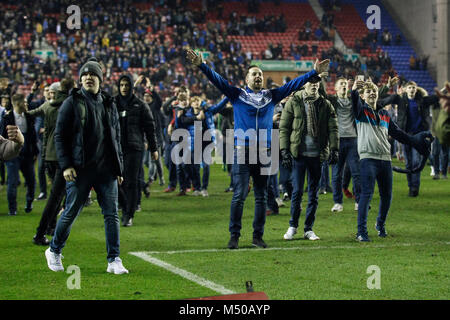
(136, 121)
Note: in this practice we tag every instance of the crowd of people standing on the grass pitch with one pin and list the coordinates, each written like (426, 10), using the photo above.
(94, 141)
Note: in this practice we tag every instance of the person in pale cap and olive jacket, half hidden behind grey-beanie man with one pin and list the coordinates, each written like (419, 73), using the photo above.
(49, 111)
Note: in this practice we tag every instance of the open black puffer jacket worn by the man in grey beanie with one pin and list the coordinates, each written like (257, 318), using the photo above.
(69, 141)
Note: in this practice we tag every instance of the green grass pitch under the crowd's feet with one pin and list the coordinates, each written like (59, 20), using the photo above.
(191, 233)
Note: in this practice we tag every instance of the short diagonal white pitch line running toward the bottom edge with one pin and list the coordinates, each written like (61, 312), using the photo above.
(183, 273)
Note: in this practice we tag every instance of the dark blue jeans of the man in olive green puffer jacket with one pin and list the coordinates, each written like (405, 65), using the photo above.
(301, 166)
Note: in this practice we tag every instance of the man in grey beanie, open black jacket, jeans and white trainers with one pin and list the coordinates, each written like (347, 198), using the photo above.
(87, 144)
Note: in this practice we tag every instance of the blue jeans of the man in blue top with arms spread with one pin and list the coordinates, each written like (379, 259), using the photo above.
(241, 177)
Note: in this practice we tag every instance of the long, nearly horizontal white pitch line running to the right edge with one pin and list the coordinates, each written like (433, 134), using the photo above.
(362, 246)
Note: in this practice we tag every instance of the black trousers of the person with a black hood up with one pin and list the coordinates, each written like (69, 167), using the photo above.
(130, 188)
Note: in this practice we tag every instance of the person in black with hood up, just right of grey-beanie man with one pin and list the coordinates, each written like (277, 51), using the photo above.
(138, 128)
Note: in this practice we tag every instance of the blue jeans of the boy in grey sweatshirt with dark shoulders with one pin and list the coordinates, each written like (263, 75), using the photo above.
(372, 171)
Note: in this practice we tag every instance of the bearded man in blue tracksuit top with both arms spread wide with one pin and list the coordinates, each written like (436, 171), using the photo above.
(253, 112)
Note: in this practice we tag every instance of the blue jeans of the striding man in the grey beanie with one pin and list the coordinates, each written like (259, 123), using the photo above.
(105, 185)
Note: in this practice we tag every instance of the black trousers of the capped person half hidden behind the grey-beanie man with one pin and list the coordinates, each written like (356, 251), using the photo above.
(57, 193)
